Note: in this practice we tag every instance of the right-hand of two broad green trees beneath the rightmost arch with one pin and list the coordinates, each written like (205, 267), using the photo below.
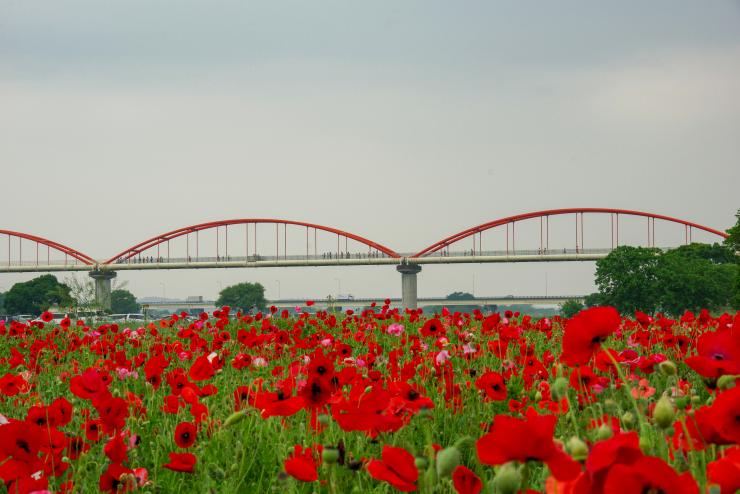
(692, 277)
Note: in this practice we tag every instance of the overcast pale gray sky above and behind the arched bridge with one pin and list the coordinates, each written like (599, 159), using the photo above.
(403, 122)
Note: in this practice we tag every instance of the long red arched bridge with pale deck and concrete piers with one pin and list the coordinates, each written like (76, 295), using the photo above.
(260, 242)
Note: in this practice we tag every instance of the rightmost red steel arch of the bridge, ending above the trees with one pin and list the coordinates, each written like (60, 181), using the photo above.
(511, 220)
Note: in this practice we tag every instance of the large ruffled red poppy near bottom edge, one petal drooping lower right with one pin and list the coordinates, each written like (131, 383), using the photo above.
(523, 440)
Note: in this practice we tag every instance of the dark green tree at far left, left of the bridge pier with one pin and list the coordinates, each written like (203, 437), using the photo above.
(37, 295)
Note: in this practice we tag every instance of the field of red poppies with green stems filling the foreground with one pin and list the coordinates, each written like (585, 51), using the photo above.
(379, 401)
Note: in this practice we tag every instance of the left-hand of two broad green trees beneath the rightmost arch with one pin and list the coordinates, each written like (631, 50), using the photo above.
(627, 279)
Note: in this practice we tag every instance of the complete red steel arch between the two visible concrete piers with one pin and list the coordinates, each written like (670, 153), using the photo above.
(165, 237)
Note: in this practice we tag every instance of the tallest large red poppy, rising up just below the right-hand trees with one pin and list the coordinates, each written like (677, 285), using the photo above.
(585, 332)
